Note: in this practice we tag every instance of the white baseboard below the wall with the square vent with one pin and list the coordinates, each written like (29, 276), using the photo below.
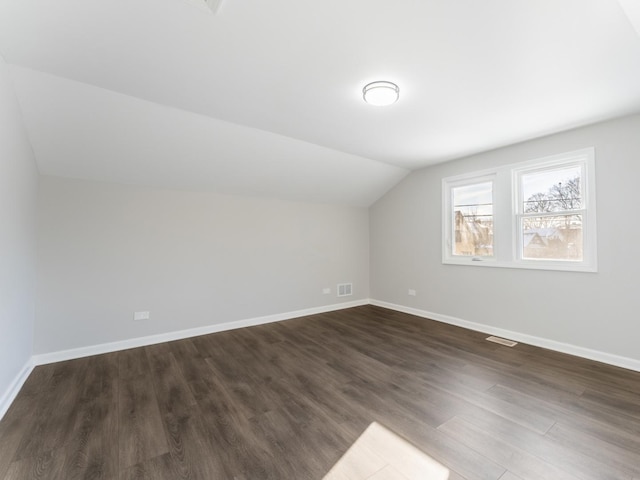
(74, 353)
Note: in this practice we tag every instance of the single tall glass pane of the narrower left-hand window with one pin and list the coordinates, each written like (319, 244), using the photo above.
(473, 219)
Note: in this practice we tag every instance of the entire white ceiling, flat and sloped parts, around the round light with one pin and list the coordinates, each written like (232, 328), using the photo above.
(265, 97)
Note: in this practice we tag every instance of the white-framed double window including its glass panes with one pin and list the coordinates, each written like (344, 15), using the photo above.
(538, 214)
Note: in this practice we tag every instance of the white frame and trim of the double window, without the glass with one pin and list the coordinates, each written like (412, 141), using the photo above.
(507, 214)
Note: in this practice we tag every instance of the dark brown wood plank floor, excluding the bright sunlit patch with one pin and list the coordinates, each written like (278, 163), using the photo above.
(286, 400)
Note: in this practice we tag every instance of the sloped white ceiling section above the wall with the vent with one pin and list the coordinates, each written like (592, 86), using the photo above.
(81, 131)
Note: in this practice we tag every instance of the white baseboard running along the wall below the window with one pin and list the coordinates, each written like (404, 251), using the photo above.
(616, 360)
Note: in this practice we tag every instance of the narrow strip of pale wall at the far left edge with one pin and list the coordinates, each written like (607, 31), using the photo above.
(18, 193)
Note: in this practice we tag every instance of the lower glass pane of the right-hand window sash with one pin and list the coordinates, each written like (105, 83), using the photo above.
(555, 238)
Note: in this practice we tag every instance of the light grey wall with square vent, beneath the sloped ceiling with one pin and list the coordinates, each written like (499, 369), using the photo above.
(191, 259)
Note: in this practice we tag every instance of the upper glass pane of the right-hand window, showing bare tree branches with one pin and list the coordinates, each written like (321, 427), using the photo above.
(552, 190)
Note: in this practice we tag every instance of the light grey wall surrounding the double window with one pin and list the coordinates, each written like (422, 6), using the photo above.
(595, 311)
